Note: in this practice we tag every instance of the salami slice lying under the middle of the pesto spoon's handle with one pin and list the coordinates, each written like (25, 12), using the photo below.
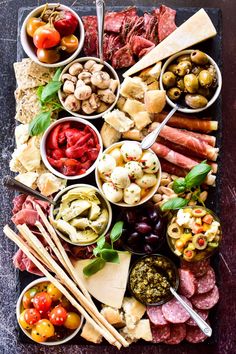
(174, 312)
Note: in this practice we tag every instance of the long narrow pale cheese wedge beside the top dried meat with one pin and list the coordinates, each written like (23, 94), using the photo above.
(196, 29)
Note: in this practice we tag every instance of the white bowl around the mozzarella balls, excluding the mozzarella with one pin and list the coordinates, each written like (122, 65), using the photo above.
(143, 200)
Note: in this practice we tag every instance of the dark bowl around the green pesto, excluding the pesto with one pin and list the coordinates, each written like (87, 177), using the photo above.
(176, 285)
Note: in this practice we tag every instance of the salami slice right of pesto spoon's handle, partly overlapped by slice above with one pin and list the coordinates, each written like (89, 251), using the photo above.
(206, 301)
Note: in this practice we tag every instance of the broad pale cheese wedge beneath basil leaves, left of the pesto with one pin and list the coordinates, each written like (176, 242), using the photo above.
(109, 284)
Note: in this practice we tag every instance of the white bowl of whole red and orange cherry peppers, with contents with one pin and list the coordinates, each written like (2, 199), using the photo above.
(52, 35)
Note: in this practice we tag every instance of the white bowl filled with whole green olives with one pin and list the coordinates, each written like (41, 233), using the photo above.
(192, 79)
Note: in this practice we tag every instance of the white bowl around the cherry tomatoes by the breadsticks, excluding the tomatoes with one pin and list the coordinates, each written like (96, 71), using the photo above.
(18, 312)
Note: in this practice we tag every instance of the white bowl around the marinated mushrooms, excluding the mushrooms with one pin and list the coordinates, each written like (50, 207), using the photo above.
(110, 71)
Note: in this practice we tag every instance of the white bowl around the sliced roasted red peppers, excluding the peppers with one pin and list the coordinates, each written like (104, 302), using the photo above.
(43, 147)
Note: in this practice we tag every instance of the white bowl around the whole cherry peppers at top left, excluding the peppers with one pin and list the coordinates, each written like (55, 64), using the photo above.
(27, 42)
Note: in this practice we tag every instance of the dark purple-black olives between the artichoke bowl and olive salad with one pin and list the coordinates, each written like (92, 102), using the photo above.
(144, 229)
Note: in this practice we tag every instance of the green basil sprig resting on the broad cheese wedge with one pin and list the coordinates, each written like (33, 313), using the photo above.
(104, 252)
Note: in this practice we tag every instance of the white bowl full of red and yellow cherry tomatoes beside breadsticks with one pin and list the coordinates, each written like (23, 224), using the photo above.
(45, 315)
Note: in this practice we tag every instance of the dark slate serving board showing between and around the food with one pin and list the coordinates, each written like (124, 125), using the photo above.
(213, 47)
